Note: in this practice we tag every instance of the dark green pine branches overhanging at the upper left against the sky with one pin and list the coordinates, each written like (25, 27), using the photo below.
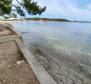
(31, 7)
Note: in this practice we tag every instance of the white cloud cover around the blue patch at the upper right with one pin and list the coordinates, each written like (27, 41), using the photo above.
(66, 8)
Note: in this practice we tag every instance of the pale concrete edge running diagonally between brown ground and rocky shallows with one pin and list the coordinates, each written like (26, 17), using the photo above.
(38, 69)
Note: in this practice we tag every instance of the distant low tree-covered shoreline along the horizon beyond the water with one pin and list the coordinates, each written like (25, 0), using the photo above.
(44, 20)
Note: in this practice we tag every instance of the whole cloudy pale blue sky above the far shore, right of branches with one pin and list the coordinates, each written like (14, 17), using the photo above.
(68, 9)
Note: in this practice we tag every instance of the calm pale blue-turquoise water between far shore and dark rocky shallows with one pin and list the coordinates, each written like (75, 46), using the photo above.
(71, 37)
